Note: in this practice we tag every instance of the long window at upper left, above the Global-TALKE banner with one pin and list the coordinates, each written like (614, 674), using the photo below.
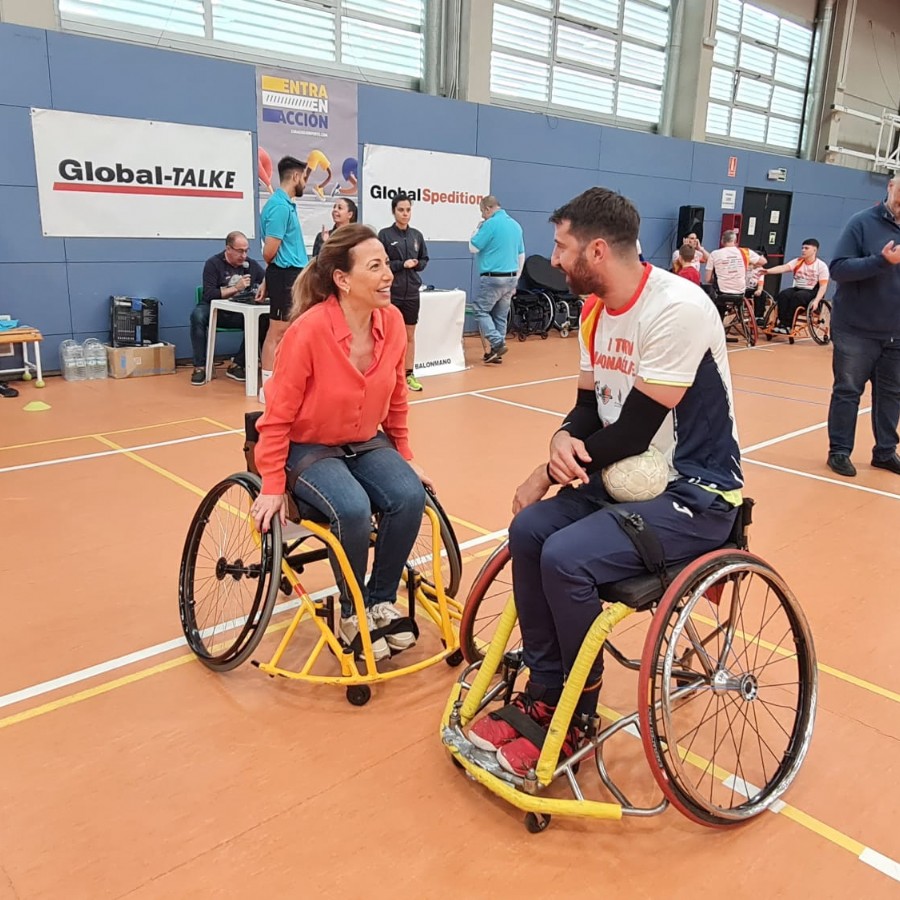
(348, 16)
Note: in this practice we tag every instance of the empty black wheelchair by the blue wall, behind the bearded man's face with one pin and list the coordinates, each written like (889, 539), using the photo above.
(543, 301)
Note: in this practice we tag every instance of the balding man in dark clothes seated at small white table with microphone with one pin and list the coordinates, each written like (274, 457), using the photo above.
(225, 275)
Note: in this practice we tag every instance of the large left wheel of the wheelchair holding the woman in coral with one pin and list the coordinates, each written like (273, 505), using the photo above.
(229, 576)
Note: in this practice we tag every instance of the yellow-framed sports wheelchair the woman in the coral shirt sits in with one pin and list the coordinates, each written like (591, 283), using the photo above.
(231, 576)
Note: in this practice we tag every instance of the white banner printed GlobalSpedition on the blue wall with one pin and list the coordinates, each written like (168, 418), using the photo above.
(445, 188)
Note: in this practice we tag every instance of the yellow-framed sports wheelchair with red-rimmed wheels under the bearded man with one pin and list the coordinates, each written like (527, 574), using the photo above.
(726, 698)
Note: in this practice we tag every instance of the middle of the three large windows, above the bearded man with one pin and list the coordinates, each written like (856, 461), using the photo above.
(607, 33)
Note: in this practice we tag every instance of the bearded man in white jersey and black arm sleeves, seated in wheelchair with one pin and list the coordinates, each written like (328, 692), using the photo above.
(654, 370)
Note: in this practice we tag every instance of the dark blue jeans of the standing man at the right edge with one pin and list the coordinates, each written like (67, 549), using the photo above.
(857, 360)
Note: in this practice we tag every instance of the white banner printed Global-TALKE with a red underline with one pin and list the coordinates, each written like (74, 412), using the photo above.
(100, 176)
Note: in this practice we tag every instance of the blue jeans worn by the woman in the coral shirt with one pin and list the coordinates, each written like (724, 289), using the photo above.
(347, 491)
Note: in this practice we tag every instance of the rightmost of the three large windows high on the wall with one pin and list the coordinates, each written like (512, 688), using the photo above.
(757, 59)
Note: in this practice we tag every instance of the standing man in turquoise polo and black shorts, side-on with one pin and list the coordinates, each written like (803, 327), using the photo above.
(285, 254)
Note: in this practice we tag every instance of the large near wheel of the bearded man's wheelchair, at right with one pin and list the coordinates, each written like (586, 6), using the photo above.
(727, 689)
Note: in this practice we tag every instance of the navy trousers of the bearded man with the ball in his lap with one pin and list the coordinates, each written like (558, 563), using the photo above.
(565, 547)
